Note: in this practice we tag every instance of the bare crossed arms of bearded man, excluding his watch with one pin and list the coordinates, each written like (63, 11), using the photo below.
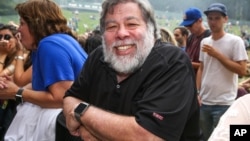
(98, 124)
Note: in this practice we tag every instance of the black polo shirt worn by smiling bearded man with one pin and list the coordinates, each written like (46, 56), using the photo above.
(161, 94)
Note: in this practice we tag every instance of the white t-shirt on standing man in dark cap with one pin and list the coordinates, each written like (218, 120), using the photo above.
(218, 84)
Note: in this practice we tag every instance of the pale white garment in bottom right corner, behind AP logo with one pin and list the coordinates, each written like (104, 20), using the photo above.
(238, 113)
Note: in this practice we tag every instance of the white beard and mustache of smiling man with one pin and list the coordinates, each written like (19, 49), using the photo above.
(130, 63)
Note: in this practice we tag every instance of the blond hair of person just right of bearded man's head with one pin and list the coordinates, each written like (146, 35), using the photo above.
(167, 36)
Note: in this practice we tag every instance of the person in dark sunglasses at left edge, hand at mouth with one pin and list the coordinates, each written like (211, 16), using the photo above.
(8, 49)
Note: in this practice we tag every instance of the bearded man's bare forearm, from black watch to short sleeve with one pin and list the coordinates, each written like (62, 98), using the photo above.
(109, 126)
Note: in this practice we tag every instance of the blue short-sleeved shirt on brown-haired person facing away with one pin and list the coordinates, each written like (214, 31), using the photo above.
(58, 57)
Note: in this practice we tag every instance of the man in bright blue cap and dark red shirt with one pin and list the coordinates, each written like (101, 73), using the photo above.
(192, 20)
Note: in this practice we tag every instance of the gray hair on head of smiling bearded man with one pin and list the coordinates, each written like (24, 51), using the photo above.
(145, 6)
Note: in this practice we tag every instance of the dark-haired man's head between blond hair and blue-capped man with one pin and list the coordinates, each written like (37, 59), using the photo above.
(181, 35)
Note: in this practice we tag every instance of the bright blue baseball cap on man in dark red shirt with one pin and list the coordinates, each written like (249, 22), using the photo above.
(191, 15)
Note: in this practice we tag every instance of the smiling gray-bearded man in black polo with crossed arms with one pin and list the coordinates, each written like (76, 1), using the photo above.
(127, 89)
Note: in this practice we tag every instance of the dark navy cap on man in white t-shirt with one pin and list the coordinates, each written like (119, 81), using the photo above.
(217, 7)
